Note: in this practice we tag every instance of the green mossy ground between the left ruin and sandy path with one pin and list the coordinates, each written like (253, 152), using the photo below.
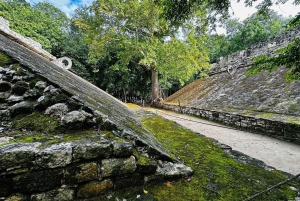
(217, 177)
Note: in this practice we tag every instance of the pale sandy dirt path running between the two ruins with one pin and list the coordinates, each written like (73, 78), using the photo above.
(279, 154)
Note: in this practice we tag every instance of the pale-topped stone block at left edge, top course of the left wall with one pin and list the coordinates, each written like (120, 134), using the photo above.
(17, 155)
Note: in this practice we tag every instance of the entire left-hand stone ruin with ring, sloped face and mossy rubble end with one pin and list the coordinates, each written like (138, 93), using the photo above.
(115, 152)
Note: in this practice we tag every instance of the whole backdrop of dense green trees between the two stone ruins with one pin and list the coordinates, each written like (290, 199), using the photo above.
(127, 48)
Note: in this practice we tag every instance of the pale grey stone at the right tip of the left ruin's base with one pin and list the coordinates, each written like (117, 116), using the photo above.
(173, 170)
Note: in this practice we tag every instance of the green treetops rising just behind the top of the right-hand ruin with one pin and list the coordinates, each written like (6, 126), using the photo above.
(240, 35)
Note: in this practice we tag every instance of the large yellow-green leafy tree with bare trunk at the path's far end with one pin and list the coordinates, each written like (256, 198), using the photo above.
(137, 29)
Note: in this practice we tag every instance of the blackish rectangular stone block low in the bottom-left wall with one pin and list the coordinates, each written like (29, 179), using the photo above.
(38, 181)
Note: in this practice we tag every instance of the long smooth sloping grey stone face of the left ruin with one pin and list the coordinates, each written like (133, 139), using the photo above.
(97, 100)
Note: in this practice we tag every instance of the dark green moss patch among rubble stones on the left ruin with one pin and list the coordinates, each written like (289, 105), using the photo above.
(37, 122)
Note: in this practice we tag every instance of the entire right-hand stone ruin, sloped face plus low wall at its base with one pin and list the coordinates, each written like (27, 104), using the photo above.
(264, 103)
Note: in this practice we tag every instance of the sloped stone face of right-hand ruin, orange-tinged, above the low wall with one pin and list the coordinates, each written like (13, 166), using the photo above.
(231, 91)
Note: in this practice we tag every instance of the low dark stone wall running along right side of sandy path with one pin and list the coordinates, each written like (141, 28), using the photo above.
(277, 129)
